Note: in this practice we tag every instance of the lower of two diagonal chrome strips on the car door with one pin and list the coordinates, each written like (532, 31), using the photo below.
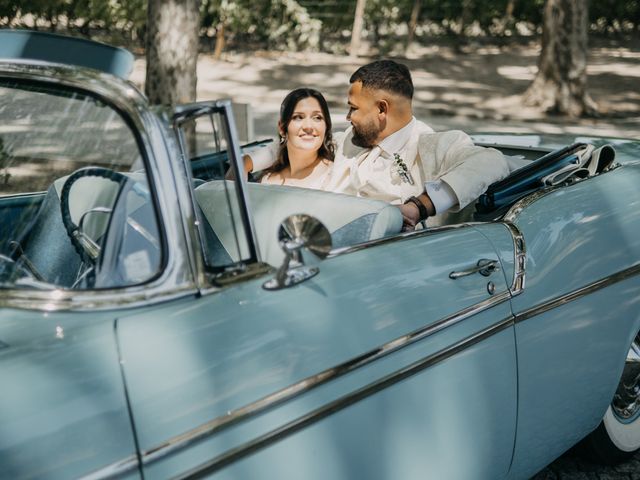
(341, 403)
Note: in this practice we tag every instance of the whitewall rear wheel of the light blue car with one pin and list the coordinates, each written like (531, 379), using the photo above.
(617, 438)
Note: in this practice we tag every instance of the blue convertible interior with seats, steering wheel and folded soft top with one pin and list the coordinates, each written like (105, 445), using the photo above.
(94, 203)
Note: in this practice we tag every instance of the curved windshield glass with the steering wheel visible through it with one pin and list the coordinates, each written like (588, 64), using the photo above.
(73, 214)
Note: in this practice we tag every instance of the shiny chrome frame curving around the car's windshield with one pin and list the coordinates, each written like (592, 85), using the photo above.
(175, 279)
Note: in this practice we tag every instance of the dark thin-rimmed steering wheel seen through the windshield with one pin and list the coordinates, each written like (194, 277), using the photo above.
(88, 249)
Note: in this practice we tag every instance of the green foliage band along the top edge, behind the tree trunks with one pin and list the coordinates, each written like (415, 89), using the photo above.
(312, 24)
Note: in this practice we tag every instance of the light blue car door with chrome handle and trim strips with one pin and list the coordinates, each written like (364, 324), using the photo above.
(381, 366)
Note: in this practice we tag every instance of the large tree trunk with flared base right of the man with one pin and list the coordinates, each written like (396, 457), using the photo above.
(560, 85)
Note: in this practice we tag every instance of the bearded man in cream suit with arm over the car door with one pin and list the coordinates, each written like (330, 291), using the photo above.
(388, 155)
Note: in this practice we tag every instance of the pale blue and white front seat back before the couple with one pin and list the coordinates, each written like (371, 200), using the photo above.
(349, 219)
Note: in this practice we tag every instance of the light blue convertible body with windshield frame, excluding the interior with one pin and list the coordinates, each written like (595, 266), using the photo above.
(380, 366)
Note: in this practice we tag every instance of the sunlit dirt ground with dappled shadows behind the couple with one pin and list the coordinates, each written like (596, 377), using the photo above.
(476, 90)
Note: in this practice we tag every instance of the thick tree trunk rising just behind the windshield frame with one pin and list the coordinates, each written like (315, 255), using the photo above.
(172, 51)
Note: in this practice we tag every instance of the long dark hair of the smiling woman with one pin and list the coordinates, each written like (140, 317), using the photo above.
(327, 149)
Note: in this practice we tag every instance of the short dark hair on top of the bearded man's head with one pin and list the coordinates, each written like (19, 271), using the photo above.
(385, 75)
